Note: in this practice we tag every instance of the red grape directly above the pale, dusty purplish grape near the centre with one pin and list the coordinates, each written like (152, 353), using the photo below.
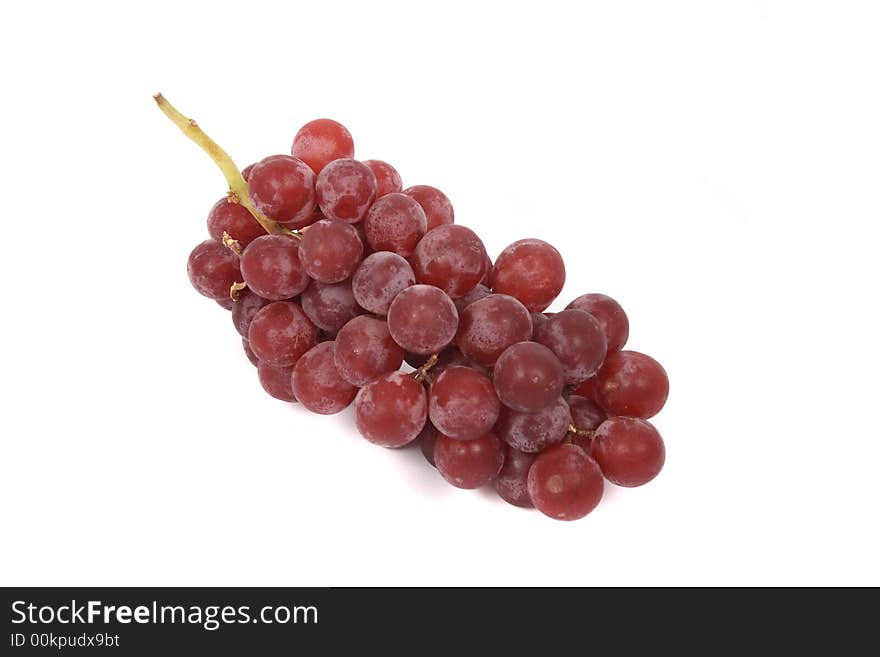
(395, 223)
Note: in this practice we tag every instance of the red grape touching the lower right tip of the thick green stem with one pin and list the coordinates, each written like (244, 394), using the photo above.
(330, 251)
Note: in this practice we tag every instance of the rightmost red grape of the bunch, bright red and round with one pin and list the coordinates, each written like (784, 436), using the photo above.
(631, 383)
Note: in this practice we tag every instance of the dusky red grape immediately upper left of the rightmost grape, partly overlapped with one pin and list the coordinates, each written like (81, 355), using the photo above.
(577, 340)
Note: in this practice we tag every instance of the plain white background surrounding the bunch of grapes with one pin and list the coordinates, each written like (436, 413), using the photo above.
(712, 165)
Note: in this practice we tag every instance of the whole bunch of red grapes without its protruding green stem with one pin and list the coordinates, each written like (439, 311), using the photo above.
(370, 276)
